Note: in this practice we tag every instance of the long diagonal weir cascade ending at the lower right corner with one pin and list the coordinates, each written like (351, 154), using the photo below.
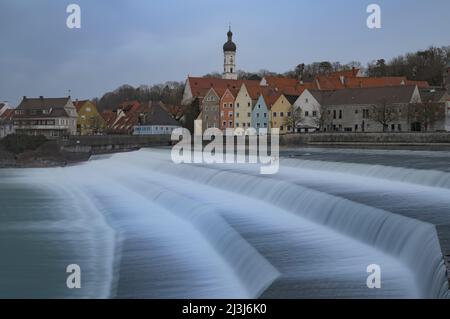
(413, 241)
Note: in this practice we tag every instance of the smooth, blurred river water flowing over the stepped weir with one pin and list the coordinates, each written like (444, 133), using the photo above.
(140, 226)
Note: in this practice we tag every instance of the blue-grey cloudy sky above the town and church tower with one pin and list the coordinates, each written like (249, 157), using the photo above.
(150, 41)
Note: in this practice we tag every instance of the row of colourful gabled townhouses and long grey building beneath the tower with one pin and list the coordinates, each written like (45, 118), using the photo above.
(340, 101)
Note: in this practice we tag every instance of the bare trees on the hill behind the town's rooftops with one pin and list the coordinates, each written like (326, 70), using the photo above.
(426, 65)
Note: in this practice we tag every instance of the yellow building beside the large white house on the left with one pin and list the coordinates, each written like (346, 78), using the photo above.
(89, 121)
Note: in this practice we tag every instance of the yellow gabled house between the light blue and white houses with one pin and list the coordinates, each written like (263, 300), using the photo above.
(281, 112)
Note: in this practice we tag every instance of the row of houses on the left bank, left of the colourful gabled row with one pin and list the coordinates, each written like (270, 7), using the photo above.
(60, 117)
